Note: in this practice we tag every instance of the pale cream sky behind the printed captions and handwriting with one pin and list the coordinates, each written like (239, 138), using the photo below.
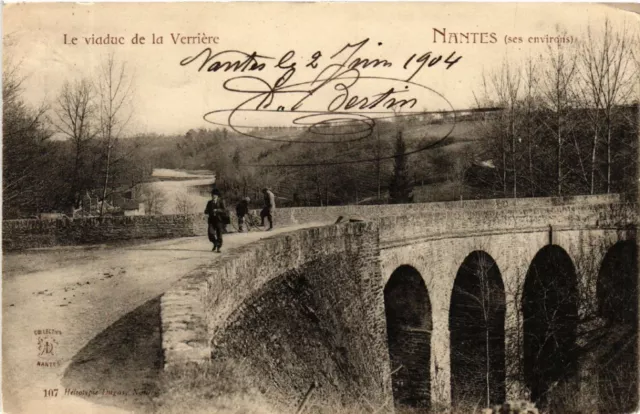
(170, 98)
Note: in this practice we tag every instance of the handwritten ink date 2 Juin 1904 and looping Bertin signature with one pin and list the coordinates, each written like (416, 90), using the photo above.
(340, 94)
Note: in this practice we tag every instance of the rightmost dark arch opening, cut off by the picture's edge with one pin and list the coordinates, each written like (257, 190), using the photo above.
(616, 350)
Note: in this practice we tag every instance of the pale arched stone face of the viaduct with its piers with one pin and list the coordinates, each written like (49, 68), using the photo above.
(437, 245)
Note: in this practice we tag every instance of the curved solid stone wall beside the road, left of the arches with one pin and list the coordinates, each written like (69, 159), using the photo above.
(299, 308)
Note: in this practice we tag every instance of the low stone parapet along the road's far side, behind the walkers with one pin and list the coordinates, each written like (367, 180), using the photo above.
(23, 234)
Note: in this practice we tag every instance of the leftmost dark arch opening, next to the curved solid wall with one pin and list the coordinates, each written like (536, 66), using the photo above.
(409, 324)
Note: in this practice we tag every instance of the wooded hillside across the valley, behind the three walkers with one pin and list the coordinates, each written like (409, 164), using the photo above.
(351, 166)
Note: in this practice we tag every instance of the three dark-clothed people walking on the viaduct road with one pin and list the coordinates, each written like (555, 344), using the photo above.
(218, 216)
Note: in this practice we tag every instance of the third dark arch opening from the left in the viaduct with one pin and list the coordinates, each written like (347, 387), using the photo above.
(550, 320)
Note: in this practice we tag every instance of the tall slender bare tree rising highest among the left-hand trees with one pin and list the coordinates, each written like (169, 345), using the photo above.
(74, 118)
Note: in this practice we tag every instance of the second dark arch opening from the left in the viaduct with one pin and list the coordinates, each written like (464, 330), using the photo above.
(476, 324)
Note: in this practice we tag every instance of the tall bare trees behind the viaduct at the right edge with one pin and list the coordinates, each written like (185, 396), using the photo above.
(569, 121)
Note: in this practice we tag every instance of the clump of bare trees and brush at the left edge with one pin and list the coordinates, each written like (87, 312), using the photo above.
(57, 154)
